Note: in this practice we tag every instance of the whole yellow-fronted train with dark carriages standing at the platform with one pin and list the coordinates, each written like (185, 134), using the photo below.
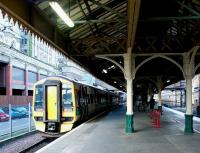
(58, 103)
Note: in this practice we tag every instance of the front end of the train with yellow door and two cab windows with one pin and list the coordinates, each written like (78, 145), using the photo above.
(54, 107)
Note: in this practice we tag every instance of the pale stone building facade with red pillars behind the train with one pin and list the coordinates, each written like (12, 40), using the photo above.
(24, 59)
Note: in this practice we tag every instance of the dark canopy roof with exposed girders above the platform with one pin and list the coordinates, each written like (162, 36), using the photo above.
(109, 27)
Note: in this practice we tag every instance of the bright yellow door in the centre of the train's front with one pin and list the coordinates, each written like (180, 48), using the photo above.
(52, 103)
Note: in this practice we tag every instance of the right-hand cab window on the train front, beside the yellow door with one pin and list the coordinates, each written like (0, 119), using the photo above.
(67, 96)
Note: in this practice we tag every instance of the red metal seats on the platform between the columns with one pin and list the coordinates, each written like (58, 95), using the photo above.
(155, 118)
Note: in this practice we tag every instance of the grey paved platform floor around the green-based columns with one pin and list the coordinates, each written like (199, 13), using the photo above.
(106, 134)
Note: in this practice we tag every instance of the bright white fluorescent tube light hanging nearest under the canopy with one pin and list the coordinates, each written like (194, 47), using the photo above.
(61, 13)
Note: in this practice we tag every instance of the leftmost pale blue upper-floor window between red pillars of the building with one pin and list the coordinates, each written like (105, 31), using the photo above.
(18, 74)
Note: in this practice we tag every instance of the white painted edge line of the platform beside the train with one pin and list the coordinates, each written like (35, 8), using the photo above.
(65, 135)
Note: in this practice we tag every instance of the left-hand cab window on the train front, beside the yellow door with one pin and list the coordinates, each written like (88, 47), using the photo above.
(38, 98)
